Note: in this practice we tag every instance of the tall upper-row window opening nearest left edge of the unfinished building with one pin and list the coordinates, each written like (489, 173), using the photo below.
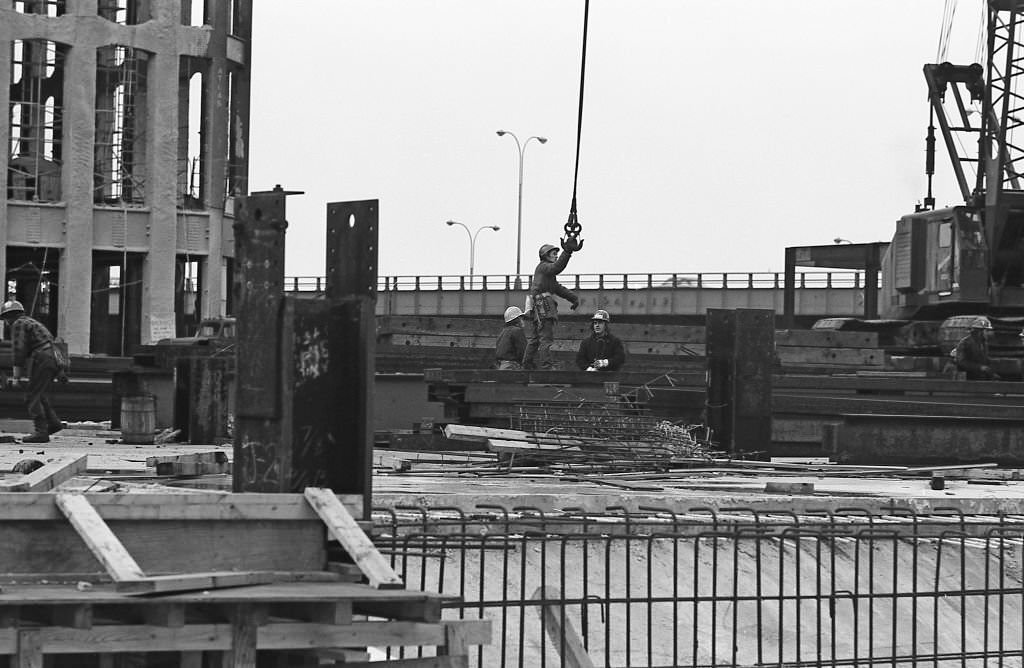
(35, 119)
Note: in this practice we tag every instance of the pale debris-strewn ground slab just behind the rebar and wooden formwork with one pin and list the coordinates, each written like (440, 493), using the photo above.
(436, 479)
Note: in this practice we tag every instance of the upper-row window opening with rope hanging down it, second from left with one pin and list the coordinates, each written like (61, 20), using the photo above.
(121, 126)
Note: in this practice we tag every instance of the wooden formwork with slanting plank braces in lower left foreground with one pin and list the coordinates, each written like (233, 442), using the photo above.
(201, 579)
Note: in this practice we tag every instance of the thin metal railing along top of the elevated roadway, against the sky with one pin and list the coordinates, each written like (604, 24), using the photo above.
(704, 280)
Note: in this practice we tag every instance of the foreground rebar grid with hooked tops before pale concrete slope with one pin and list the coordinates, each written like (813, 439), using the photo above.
(654, 588)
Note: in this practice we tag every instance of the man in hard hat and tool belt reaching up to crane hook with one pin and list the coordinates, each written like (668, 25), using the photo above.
(542, 310)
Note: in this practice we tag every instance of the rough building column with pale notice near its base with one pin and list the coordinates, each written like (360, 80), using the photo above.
(162, 153)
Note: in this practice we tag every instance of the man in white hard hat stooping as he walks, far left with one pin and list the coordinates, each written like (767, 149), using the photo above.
(35, 358)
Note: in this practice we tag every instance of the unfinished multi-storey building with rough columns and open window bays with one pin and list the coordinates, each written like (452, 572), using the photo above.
(127, 127)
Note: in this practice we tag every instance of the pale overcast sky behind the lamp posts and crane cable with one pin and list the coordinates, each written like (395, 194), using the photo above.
(715, 134)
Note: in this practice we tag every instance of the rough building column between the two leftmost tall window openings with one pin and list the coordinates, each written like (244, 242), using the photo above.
(77, 184)
